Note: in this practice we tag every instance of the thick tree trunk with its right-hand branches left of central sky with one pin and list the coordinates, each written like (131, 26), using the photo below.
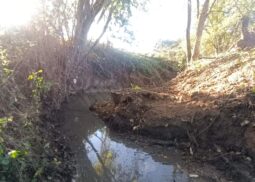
(90, 10)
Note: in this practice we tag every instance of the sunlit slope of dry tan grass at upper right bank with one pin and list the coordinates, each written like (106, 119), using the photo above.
(229, 74)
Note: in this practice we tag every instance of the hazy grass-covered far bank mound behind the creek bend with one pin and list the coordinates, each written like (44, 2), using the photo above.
(107, 69)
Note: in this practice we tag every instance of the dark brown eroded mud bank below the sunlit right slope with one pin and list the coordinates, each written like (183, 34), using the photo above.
(219, 131)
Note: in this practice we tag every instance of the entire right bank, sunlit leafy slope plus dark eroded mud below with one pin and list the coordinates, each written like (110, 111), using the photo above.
(207, 111)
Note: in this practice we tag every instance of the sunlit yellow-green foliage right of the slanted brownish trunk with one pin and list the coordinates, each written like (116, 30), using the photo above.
(223, 27)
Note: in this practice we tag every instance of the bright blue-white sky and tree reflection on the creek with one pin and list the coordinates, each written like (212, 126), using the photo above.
(117, 162)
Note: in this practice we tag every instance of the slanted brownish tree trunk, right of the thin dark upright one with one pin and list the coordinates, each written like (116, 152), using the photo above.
(200, 28)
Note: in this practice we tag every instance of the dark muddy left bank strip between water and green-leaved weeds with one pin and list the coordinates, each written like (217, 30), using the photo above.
(57, 159)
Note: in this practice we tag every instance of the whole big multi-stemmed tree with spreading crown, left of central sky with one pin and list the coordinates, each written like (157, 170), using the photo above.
(73, 19)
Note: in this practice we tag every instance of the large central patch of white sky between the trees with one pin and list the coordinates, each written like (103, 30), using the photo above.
(164, 20)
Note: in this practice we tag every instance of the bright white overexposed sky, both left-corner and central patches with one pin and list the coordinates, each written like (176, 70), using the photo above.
(163, 20)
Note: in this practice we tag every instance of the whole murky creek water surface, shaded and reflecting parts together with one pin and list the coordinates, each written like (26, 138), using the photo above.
(103, 155)
